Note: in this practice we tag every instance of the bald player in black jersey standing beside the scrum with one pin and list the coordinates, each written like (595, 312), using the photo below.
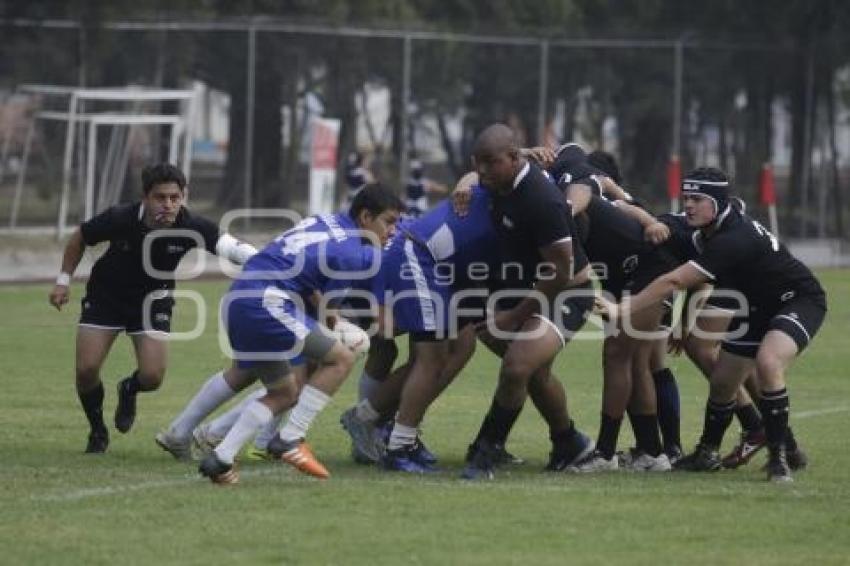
(536, 231)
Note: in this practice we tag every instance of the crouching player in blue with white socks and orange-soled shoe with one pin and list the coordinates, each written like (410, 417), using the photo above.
(271, 322)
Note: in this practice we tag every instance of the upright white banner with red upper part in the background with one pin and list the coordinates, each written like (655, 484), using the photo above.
(323, 150)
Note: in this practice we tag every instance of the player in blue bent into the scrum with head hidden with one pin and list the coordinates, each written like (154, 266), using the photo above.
(424, 275)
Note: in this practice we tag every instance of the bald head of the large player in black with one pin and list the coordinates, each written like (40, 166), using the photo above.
(496, 157)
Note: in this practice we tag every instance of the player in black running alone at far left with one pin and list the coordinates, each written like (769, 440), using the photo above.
(129, 289)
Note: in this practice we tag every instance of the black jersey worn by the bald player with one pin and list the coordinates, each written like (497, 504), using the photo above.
(534, 215)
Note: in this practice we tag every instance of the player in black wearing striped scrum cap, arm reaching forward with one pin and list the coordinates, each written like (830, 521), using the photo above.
(786, 306)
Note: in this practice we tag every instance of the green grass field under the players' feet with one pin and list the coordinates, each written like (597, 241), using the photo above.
(135, 505)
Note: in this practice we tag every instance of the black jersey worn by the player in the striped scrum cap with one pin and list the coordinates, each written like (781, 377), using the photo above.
(745, 256)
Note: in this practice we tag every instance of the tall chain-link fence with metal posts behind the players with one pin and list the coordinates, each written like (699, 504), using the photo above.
(402, 95)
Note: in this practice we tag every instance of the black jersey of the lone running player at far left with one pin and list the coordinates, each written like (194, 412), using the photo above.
(120, 271)
